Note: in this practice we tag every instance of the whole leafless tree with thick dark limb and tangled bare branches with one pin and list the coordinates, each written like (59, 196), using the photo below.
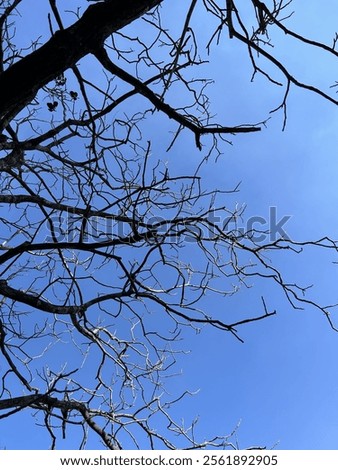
(107, 253)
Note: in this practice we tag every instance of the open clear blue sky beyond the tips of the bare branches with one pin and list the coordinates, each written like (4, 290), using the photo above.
(281, 384)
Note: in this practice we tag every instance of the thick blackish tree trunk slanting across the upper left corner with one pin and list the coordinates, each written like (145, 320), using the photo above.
(20, 83)
